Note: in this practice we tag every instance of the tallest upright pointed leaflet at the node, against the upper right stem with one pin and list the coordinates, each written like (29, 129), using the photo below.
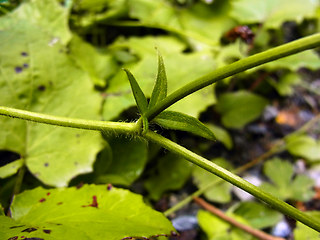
(160, 87)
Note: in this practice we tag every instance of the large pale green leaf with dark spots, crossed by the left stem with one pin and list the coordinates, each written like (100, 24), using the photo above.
(36, 74)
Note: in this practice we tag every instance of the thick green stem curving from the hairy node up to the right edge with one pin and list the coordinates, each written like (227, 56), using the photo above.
(234, 68)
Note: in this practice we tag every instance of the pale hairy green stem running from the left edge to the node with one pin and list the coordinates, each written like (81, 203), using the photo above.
(104, 126)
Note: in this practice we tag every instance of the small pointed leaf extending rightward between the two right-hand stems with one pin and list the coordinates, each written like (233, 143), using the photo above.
(183, 122)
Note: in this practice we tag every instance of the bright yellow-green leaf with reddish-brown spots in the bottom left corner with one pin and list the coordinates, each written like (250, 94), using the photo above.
(91, 212)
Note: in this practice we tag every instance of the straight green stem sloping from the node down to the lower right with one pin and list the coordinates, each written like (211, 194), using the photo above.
(233, 179)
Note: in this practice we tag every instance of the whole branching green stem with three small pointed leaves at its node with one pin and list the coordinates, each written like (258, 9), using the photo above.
(155, 111)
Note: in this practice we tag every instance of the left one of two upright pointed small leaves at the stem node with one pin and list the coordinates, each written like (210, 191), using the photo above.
(139, 96)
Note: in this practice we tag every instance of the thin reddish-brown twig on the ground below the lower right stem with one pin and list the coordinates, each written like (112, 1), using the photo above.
(254, 232)
